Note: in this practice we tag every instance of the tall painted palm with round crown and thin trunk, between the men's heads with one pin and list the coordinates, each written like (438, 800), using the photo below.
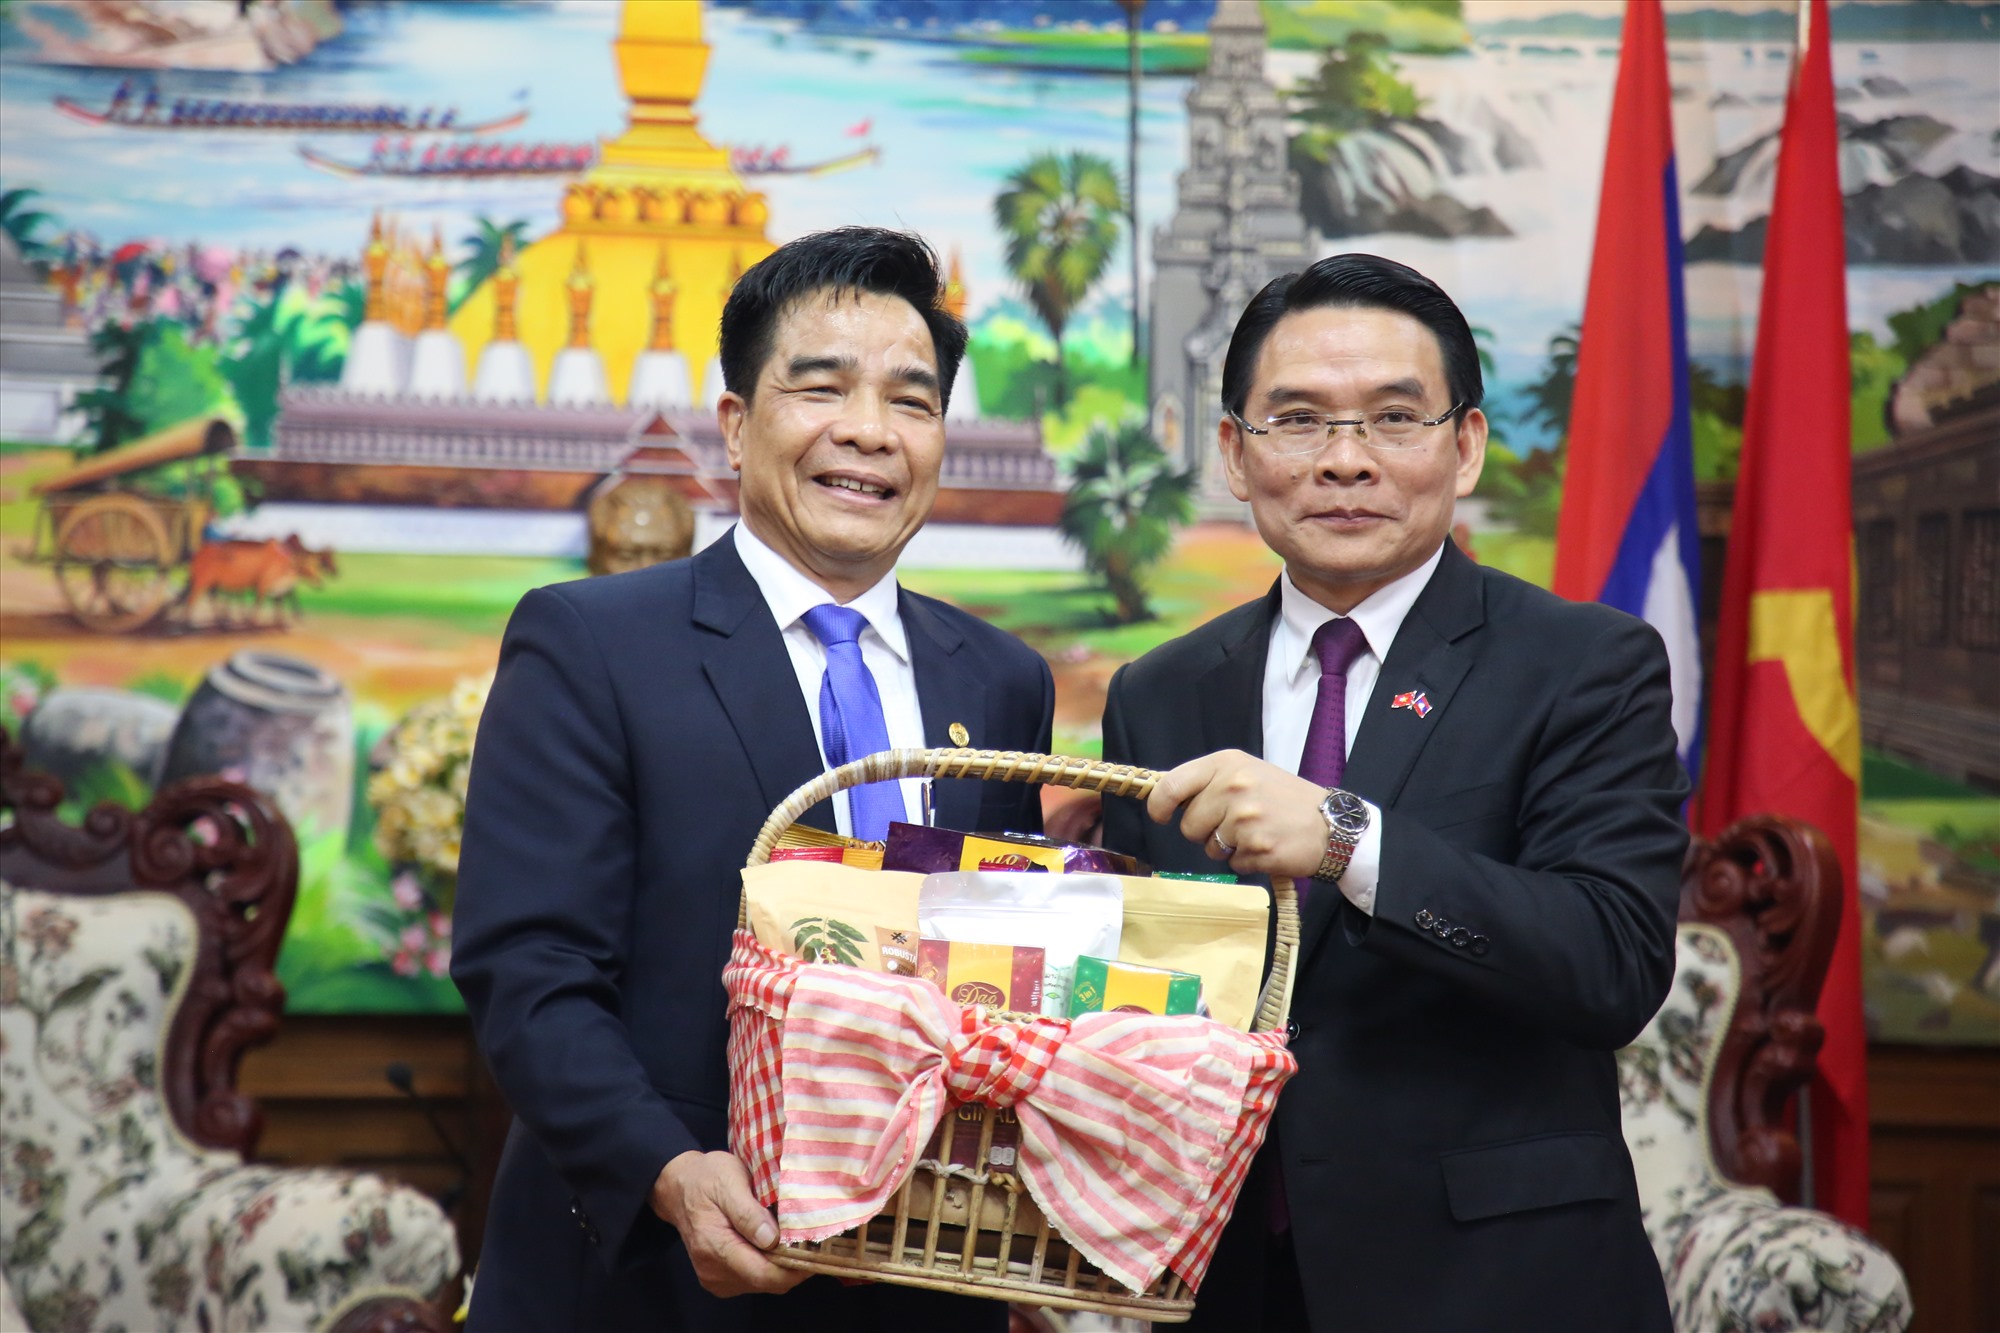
(1059, 215)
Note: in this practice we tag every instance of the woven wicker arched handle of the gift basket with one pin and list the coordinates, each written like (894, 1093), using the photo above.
(1017, 768)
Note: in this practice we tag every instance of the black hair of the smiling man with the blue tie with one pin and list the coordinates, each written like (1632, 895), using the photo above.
(845, 259)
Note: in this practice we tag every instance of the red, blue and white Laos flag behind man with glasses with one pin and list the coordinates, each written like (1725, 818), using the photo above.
(1627, 531)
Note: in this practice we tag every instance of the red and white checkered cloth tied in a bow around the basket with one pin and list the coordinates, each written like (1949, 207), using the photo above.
(1137, 1130)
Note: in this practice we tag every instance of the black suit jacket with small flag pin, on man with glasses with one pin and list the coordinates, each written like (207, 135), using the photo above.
(1451, 1148)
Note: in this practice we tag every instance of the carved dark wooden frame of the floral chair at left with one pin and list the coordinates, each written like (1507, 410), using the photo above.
(227, 854)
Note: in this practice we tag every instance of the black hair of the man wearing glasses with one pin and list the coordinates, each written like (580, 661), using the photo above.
(1363, 281)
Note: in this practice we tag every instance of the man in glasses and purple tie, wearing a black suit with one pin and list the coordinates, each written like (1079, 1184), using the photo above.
(1477, 794)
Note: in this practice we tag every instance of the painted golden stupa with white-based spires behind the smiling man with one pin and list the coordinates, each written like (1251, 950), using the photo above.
(589, 353)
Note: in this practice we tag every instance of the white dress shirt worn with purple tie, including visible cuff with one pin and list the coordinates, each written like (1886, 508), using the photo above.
(1293, 692)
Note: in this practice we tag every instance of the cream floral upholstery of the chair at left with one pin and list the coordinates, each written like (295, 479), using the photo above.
(109, 1216)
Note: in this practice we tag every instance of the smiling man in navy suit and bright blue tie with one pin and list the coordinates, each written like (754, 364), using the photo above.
(641, 732)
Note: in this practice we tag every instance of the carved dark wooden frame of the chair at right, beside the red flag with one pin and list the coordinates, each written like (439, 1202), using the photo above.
(1775, 888)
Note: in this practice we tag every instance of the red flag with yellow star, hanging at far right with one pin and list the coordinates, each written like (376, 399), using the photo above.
(1785, 728)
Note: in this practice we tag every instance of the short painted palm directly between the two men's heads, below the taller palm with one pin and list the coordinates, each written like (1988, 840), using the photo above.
(1123, 509)
